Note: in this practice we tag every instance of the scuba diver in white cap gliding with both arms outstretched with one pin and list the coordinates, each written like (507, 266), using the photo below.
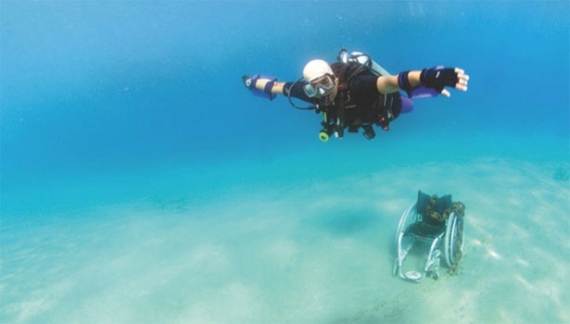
(355, 92)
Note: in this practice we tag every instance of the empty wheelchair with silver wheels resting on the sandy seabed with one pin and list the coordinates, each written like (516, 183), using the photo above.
(432, 222)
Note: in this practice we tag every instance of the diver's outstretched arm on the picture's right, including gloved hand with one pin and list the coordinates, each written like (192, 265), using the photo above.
(435, 78)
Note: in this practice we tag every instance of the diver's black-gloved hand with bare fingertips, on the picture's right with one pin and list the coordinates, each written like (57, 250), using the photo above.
(439, 77)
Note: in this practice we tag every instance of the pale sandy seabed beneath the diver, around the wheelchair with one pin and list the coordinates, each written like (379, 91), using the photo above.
(314, 252)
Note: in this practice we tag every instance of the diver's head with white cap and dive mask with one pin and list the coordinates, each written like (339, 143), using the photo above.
(319, 78)
